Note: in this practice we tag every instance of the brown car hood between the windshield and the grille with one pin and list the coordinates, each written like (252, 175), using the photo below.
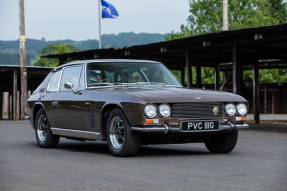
(175, 94)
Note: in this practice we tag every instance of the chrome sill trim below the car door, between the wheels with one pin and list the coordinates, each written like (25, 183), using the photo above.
(77, 133)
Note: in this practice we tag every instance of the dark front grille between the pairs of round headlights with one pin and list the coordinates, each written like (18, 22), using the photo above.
(195, 110)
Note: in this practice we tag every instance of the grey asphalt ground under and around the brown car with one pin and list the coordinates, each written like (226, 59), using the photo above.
(259, 162)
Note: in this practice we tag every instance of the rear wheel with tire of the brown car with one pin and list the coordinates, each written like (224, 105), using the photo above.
(44, 135)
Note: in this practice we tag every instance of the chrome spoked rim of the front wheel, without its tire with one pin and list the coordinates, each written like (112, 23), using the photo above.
(117, 132)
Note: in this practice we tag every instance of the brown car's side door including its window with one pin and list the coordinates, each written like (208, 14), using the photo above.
(68, 105)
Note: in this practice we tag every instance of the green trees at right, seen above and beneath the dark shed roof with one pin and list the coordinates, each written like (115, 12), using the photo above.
(207, 17)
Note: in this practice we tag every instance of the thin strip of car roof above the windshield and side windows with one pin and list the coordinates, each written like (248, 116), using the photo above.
(103, 60)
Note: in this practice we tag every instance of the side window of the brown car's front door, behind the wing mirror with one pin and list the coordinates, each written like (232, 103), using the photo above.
(71, 75)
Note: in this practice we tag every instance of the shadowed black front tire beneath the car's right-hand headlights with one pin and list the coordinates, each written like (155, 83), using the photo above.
(224, 143)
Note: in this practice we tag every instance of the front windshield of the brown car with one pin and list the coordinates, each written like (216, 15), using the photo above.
(129, 73)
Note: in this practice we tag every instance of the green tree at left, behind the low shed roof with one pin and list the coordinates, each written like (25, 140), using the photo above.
(57, 48)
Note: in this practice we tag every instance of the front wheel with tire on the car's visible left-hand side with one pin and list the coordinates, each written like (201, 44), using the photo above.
(122, 141)
